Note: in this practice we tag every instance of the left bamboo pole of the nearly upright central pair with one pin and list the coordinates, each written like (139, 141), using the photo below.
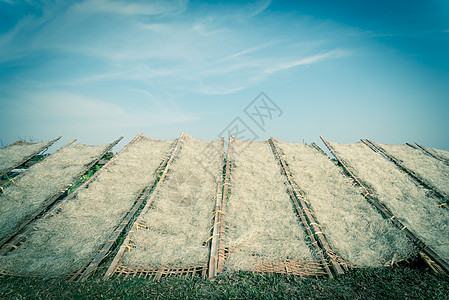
(213, 257)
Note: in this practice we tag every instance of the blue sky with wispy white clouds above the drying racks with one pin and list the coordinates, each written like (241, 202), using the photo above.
(98, 69)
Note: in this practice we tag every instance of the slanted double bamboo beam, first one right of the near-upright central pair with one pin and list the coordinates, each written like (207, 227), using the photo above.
(309, 222)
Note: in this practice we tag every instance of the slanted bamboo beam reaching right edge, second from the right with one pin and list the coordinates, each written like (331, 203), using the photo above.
(441, 197)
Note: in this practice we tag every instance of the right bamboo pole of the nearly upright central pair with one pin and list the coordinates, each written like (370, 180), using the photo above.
(226, 188)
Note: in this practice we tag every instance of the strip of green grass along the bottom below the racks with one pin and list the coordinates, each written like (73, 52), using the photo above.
(402, 282)
